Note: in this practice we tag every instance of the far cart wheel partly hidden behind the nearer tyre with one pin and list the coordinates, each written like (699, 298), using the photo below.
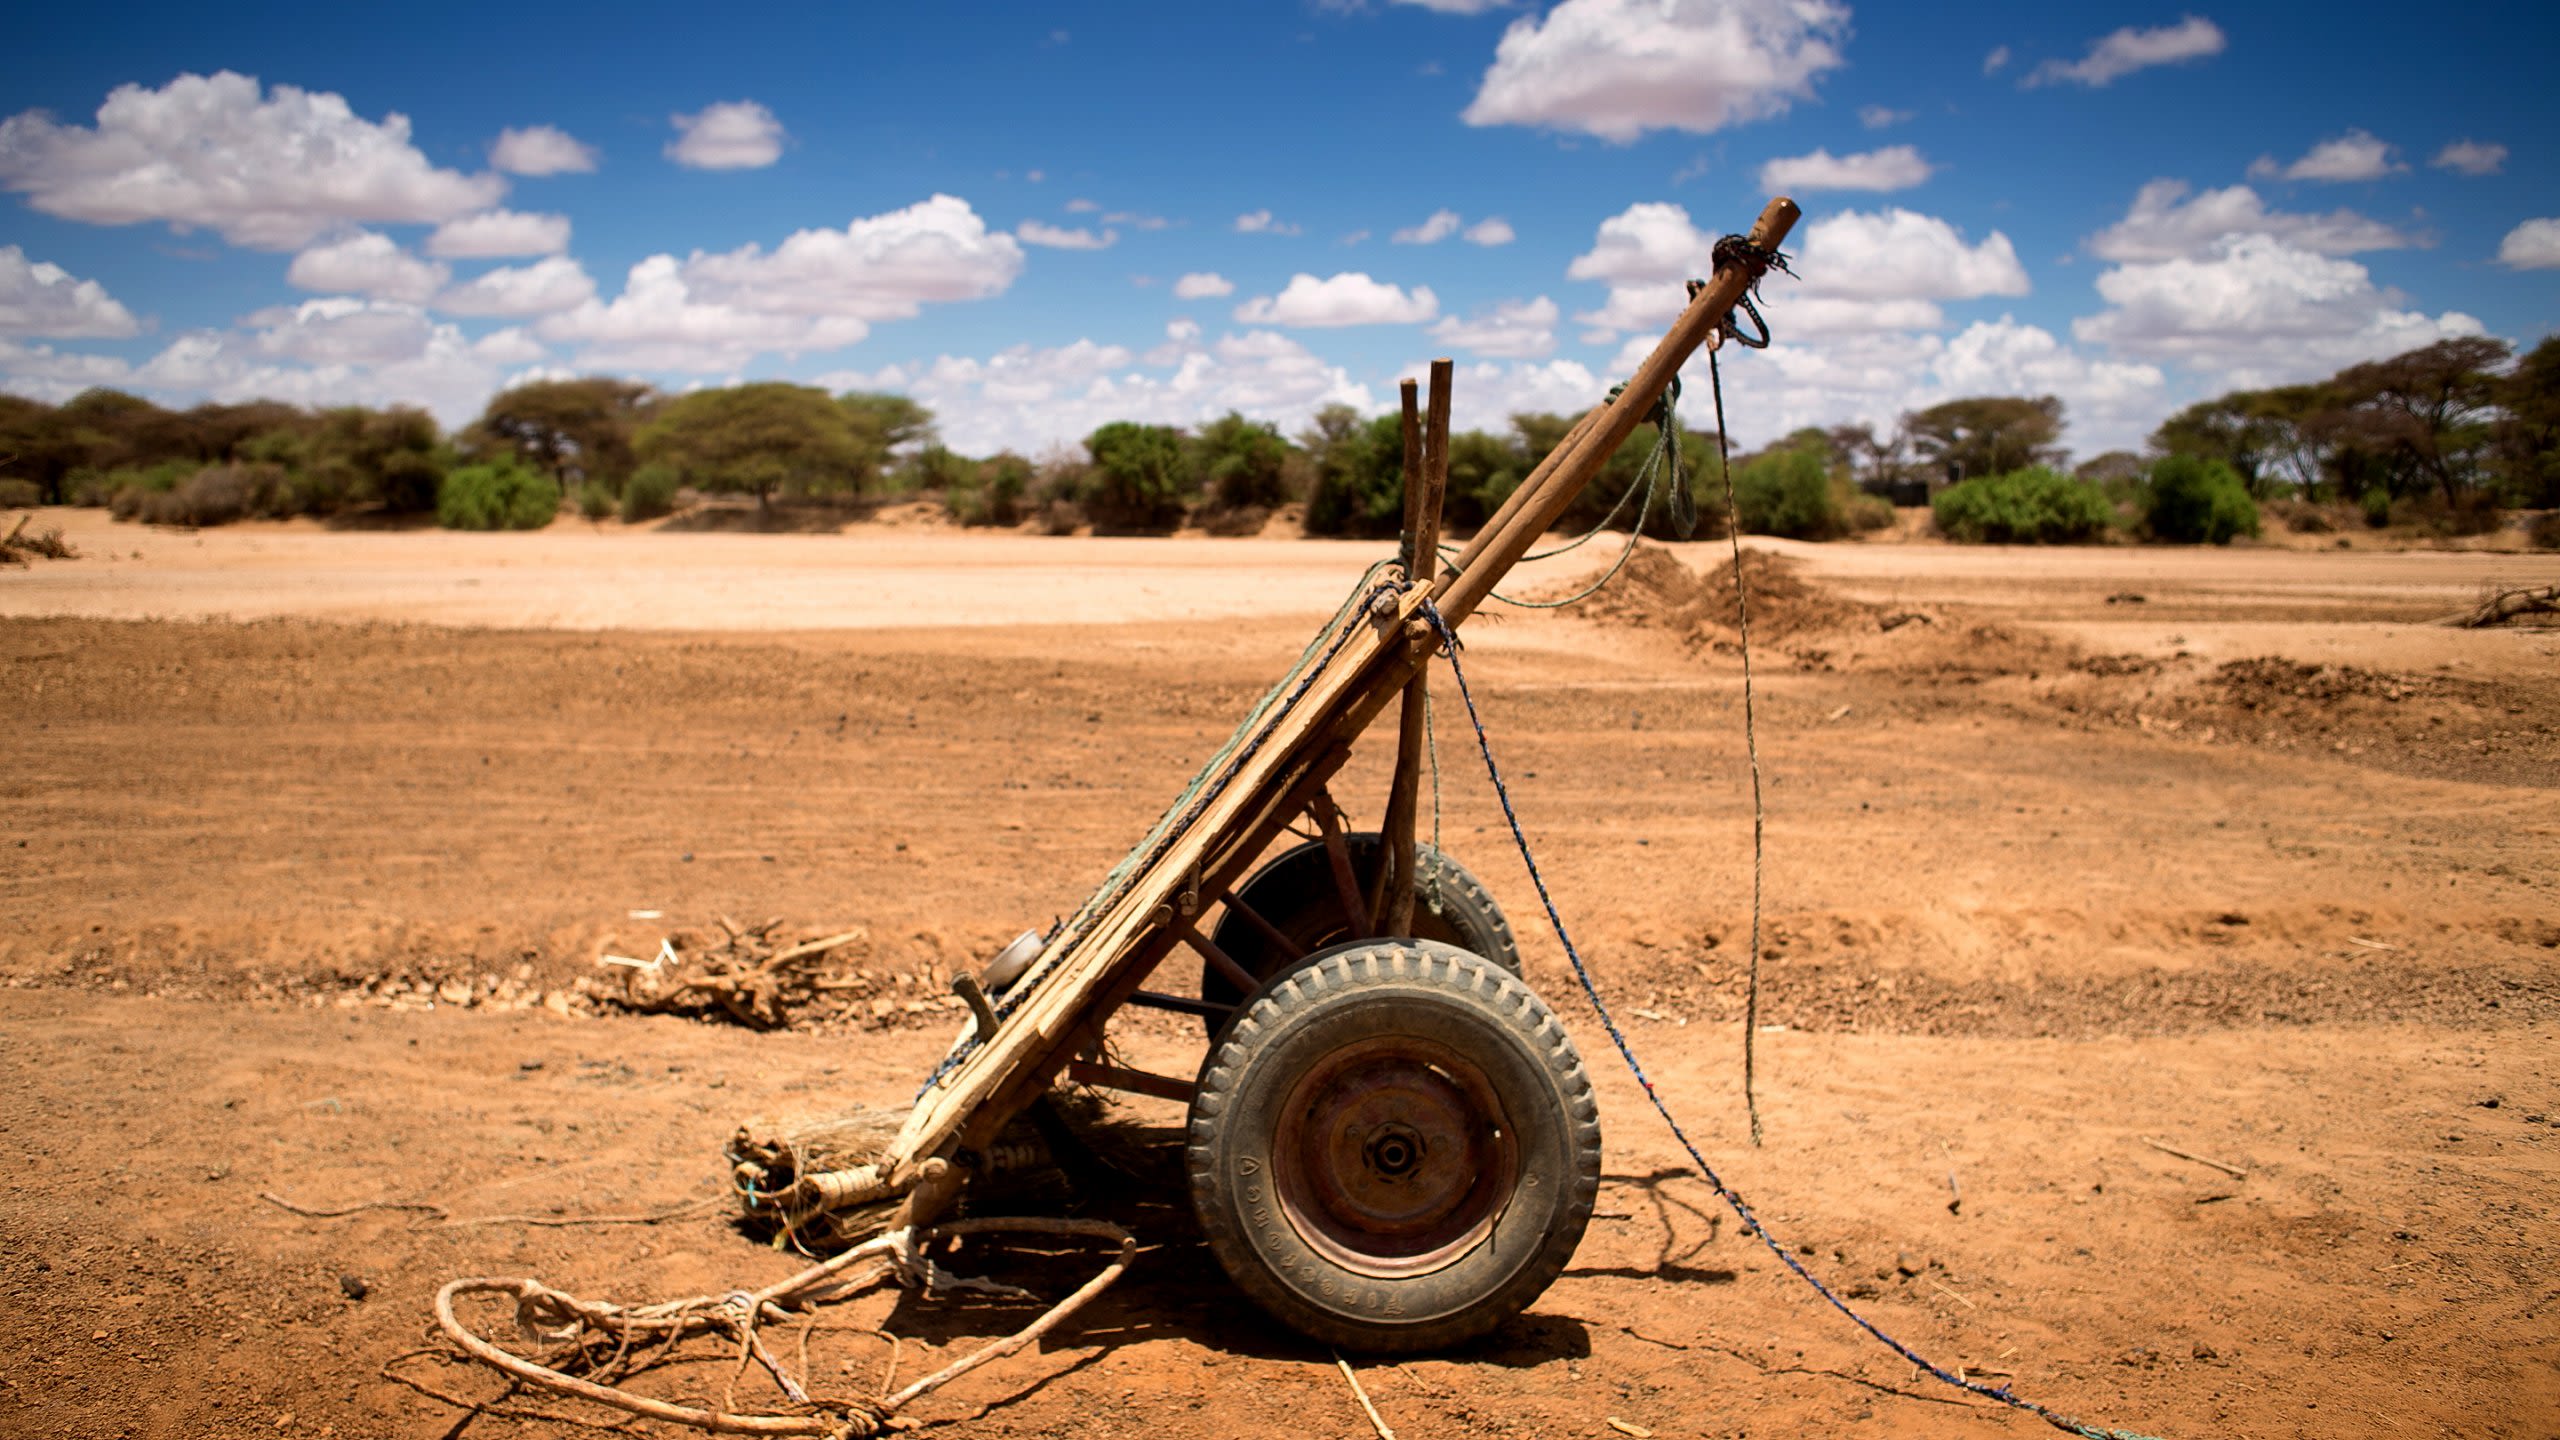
(1302, 898)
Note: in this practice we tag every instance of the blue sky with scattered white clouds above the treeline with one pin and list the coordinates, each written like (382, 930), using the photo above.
(1051, 217)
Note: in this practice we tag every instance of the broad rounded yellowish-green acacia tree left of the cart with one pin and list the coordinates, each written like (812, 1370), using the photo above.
(756, 439)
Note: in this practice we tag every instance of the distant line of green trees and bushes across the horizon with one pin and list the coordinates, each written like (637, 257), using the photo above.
(2449, 437)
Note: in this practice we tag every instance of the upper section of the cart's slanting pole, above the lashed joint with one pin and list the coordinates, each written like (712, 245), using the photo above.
(1576, 462)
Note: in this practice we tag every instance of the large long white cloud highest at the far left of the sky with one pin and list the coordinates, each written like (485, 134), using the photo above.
(265, 170)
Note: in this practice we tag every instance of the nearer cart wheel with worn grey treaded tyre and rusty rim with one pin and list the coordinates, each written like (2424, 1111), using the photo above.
(1394, 1147)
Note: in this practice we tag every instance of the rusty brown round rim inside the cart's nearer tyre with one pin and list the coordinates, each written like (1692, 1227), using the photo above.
(1394, 1157)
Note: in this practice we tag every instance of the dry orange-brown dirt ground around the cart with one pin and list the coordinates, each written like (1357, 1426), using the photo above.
(311, 839)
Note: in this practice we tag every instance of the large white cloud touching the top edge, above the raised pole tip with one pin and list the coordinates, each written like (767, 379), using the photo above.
(1624, 68)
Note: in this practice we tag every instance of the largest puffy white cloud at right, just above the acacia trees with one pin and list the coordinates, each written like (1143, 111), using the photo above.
(2259, 311)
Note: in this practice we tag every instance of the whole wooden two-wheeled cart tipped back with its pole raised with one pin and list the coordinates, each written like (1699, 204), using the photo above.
(1391, 1141)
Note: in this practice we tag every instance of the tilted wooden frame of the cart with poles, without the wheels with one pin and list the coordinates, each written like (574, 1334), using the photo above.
(1051, 1024)
